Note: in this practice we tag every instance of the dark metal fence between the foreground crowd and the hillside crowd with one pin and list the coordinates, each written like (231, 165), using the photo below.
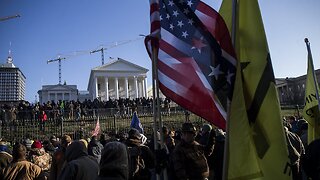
(110, 121)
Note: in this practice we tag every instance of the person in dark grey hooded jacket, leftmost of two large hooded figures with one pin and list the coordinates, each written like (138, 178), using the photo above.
(79, 165)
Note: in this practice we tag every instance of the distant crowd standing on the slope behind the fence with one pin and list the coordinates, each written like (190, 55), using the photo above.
(73, 110)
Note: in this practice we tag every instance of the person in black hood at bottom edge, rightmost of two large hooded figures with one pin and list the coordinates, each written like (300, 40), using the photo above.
(114, 164)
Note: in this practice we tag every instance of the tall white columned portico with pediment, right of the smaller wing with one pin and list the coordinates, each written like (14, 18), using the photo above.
(118, 79)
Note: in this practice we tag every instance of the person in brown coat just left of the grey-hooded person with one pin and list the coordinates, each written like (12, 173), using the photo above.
(58, 159)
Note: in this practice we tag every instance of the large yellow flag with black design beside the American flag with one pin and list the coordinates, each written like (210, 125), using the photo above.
(256, 145)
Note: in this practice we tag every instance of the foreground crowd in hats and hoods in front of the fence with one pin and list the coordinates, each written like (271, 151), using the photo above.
(185, 154)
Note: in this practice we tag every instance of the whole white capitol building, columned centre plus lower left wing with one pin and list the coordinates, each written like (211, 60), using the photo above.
(117, 79)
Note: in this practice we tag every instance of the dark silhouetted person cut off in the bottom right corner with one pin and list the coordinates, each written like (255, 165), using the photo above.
(311, 160)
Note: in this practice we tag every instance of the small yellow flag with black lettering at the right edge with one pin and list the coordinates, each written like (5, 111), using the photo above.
(311, 108)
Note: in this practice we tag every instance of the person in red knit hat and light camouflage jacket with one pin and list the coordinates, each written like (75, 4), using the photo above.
(39, 156)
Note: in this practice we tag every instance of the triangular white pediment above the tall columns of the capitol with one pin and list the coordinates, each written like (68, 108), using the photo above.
(120, 65)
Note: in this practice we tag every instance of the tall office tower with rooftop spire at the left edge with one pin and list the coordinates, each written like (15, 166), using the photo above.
(12, 82)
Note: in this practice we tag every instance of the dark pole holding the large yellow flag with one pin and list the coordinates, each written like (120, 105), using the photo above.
(226, 143)
